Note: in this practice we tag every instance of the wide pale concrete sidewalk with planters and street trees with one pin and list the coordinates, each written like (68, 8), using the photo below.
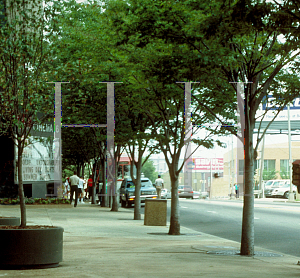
(101, 243)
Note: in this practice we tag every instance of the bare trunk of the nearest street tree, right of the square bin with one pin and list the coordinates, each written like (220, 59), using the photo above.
(247, 240)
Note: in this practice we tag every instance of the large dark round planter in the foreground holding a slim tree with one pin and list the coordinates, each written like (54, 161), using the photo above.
(38, 247)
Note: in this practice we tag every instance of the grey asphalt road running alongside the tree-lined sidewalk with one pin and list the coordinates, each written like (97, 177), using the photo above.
(277, 224)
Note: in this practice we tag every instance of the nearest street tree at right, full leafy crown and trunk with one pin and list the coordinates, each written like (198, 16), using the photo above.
(259, 56)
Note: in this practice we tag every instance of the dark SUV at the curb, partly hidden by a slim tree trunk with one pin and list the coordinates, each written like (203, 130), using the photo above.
(127, 191)
